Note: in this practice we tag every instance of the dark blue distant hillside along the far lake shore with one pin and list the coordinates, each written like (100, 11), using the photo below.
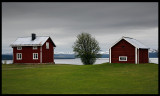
(72, 56)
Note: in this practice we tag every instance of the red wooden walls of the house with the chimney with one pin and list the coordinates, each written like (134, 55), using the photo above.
(27, 54)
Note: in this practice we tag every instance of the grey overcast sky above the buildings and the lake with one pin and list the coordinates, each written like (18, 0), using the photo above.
(106, 21)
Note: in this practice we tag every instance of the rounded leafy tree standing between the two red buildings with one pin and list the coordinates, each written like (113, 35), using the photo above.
(87, 48)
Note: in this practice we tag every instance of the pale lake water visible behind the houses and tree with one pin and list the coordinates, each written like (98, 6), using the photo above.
(77, 61)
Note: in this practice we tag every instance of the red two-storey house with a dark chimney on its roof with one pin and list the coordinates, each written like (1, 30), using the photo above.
(33, 50)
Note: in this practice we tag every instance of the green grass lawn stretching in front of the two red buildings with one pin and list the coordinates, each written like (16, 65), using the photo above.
(80, 79)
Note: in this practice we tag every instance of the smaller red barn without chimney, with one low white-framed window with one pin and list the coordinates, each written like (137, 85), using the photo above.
(128, 50)
